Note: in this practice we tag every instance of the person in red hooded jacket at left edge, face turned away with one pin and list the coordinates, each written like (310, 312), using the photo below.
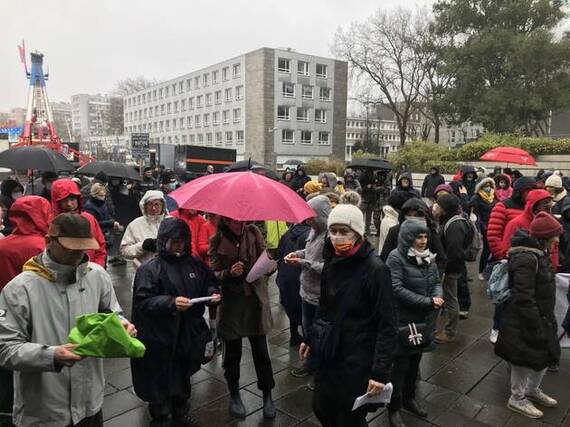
(30, 218)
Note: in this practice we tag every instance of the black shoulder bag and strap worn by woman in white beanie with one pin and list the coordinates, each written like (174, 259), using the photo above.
(325, 334)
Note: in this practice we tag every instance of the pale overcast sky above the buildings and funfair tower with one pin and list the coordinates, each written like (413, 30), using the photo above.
(89, 45)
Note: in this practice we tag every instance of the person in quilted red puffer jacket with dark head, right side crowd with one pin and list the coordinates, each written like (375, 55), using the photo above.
(505, 211)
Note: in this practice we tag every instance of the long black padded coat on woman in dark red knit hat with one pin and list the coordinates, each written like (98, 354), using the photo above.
(528, 334)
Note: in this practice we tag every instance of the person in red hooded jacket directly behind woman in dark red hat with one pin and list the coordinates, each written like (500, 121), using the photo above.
(536, 201)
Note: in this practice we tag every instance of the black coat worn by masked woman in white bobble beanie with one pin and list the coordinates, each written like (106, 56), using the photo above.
(368, 333)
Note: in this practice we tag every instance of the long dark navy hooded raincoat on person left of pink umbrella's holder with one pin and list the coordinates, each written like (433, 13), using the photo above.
(175, 341)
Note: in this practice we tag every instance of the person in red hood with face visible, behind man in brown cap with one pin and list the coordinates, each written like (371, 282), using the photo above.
(66, 197)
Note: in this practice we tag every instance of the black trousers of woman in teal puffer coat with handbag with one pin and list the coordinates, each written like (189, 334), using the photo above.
(404, 375)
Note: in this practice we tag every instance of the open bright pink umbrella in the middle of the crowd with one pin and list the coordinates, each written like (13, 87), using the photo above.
(243, 196)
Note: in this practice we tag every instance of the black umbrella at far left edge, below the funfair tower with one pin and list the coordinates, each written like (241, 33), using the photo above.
(33, 157)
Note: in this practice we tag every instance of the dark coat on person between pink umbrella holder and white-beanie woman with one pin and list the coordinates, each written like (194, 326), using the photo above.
(288, 276)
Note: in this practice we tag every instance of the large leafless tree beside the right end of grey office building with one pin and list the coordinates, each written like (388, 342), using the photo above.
(385, 55)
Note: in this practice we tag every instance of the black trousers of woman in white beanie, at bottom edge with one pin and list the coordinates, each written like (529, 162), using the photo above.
(331, 413)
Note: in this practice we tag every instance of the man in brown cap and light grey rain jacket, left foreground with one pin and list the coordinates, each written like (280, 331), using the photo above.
(53, 386)
